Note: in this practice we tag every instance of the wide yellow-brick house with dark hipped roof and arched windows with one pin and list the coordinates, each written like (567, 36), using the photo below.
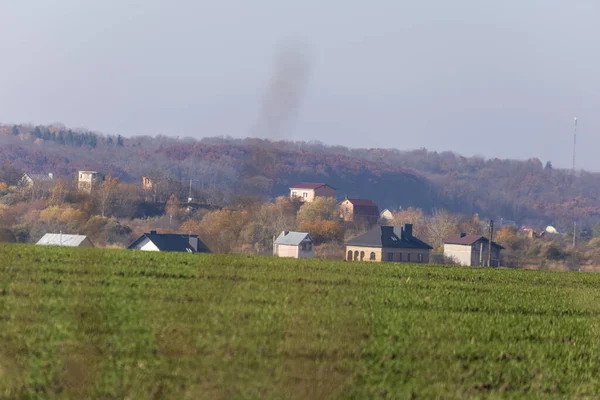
(388, 244)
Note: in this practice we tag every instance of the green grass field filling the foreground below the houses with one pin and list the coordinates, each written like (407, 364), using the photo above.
(116, 324)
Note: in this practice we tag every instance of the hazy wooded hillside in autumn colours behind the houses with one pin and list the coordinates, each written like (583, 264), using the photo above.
(223, 169)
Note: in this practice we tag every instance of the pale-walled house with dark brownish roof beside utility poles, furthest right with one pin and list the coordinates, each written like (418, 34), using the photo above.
(471, 250)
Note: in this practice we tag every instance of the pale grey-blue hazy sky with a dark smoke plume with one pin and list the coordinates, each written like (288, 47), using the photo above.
(491, 78)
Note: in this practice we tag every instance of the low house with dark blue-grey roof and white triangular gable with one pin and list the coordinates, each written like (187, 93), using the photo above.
(177, 242)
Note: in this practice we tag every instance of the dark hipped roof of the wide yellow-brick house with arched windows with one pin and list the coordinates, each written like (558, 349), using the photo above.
(388, 236)
